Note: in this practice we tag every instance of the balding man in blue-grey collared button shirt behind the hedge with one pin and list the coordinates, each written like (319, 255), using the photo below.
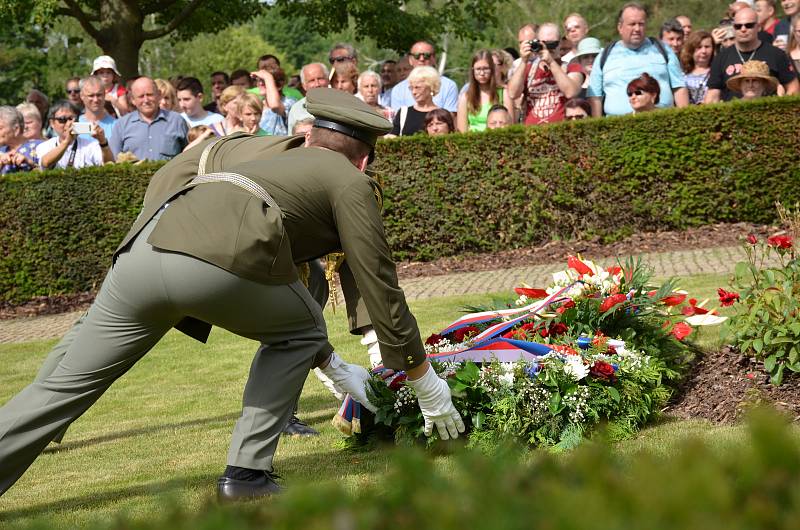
(150, 133)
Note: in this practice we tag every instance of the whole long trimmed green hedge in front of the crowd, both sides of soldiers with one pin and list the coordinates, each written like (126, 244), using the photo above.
(462, 193)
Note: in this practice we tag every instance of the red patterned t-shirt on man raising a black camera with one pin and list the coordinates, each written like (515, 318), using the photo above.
(544, 101)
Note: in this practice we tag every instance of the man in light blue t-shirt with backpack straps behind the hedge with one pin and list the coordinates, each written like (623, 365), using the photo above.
(633, 55)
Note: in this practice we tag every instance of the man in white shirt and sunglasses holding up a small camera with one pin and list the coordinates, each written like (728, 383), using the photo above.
(67, 149)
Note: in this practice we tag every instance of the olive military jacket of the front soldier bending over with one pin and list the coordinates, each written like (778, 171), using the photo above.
(326, 205)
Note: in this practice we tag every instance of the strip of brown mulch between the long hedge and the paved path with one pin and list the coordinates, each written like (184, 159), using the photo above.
(710, 236)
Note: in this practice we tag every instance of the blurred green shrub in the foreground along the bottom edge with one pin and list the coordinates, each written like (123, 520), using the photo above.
(753, 484)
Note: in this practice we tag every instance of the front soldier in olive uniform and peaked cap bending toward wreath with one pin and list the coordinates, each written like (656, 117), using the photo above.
(222, 251)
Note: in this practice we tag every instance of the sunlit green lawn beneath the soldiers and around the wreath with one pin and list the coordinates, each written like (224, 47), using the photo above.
(159, 437)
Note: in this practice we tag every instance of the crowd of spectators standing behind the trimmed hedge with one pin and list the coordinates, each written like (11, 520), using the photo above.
(556, 72)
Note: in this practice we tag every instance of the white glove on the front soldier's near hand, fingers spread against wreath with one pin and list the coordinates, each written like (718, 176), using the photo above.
(436, 405)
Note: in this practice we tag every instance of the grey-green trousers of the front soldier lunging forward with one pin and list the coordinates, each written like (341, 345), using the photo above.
(143, 296)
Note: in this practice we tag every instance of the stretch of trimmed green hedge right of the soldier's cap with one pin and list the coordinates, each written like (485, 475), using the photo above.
(524, 186)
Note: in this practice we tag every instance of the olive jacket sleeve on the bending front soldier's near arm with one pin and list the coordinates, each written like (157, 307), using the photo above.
(360, 227)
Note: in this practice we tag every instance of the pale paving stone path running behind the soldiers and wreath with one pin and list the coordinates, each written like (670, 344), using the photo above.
(665, 264)
